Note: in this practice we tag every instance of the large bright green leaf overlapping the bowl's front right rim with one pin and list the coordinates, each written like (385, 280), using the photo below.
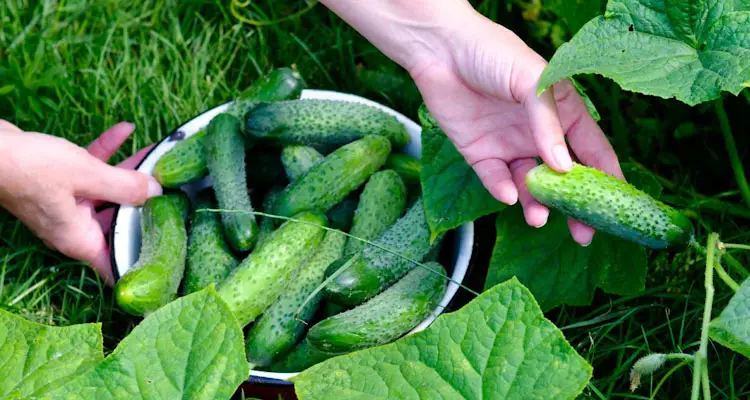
(499, 346)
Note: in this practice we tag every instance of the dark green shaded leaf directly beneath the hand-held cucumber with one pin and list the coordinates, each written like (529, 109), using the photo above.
(556, 269)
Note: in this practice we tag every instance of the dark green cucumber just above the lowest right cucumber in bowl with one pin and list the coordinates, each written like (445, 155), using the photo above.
(372, 270)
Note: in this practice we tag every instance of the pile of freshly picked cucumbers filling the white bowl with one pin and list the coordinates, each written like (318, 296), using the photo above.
(338, 259)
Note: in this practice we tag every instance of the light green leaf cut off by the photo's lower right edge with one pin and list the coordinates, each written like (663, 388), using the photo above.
(732, 327)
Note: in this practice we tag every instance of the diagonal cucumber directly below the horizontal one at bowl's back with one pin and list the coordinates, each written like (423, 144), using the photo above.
(332, 179)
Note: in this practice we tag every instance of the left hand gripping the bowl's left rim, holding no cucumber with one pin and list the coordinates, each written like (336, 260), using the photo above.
(54, 187)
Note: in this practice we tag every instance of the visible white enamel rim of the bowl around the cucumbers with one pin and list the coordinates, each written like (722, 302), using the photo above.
(126, 234)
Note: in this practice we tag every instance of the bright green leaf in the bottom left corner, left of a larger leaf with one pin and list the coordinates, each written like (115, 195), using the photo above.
(35, 357)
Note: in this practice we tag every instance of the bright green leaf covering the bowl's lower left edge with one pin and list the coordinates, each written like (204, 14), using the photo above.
(192, 348)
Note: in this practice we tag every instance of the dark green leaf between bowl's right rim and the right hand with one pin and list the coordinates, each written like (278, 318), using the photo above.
(452, 191)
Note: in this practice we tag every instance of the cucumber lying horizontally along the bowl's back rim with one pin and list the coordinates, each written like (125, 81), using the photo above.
(323, 124)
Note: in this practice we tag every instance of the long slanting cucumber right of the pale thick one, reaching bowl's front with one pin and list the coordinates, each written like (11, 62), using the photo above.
(277, 330)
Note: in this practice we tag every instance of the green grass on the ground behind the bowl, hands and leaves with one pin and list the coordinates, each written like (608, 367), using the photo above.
(73, 68)
